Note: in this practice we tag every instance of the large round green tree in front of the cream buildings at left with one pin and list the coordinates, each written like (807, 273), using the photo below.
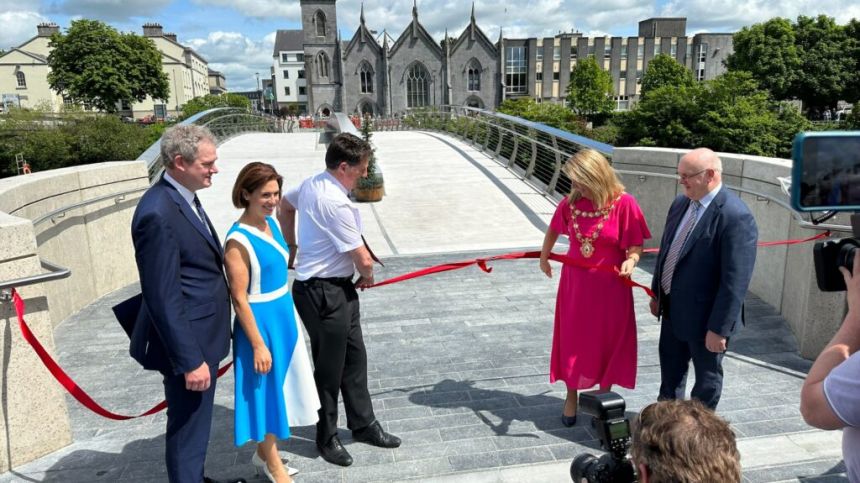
(95, 65)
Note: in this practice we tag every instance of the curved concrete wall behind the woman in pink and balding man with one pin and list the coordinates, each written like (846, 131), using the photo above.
(784, 276)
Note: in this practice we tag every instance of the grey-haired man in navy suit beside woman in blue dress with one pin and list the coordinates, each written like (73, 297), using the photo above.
(183, 325)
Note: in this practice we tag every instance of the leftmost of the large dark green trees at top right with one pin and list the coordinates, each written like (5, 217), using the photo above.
(768, 51)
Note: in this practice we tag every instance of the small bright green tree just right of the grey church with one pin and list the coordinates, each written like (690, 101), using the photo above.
(589, 92)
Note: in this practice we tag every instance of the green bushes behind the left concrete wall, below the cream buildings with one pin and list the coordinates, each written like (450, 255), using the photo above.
(70, 140)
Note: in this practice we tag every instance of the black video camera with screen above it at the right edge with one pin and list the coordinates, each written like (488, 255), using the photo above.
(826, 177)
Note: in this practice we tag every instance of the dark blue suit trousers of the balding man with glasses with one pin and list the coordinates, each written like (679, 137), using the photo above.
(675, 356)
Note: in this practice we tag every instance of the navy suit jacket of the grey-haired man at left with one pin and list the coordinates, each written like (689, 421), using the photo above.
(184, 317)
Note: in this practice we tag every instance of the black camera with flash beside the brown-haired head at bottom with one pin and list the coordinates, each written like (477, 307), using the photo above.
(613, 429)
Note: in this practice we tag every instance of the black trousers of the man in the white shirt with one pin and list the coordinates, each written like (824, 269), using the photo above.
(329, 309)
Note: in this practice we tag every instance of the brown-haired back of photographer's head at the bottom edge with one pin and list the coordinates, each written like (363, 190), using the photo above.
(684, 442)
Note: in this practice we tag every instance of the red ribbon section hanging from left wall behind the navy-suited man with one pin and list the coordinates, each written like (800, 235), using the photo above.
(67, 382)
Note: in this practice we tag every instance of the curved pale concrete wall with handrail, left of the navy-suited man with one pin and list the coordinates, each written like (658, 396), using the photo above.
(95, 242)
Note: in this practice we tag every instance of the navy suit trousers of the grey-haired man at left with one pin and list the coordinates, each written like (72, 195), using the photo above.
(189, 419)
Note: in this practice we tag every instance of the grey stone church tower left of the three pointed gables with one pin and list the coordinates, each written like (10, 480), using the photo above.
(322, 56)
